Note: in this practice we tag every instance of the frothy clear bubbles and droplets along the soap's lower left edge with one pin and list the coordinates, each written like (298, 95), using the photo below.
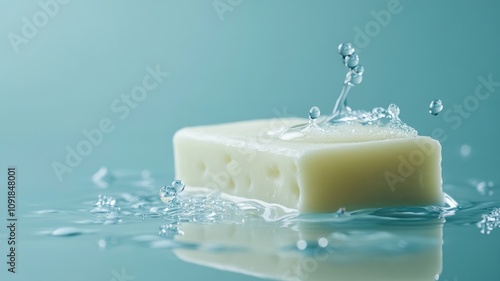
(197, 205)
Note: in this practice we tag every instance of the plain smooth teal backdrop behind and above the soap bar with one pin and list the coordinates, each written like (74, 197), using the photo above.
(263, 57)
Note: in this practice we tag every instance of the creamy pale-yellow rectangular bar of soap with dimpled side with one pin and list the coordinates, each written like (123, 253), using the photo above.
(358, 167)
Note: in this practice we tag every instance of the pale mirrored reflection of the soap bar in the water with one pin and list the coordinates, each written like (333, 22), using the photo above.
(325, 251)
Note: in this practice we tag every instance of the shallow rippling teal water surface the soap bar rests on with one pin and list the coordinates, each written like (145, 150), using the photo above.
(127, 233)
